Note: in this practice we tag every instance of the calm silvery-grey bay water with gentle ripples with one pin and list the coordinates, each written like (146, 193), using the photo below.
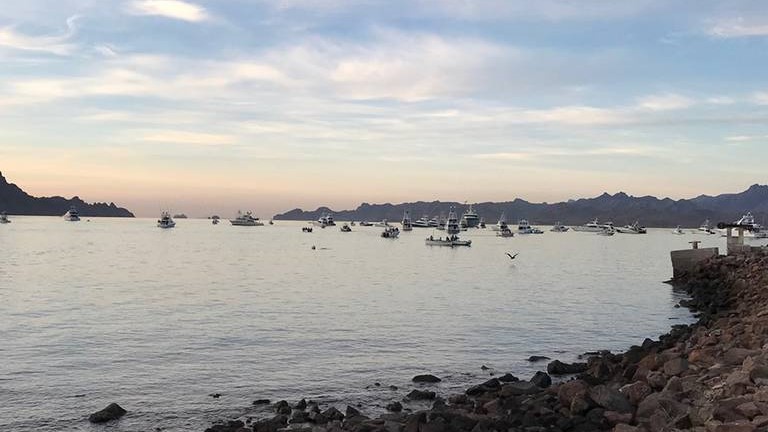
(119, 310)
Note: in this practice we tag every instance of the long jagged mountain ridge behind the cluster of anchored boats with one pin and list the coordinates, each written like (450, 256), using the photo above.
(619, 208)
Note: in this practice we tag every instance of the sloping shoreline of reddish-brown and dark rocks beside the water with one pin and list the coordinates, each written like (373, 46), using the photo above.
(710, 376)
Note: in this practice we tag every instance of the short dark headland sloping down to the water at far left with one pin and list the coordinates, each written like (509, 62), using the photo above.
(17, 202)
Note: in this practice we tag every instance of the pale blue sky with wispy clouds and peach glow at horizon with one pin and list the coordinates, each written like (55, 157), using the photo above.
(209, 106)
